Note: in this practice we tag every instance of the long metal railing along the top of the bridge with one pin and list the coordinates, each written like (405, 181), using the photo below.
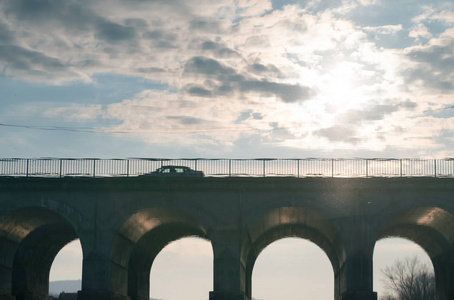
(261, 167)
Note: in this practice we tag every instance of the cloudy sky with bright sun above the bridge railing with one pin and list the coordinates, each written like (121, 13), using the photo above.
(226, 78)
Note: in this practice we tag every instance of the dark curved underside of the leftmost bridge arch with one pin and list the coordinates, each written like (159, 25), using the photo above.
(30, 238)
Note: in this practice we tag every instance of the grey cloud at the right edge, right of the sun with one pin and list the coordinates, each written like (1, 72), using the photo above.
(435, 67)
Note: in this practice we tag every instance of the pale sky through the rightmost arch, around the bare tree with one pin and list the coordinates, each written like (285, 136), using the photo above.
(389, 252)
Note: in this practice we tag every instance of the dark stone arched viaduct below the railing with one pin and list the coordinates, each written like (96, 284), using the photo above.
(123, 223)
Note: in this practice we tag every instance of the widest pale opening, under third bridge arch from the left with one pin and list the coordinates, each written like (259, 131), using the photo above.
(293, 269)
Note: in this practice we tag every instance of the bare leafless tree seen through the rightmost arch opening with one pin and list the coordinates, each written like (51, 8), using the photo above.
(409, 280)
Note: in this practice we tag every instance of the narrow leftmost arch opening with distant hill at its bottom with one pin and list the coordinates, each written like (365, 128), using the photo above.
(66, 271)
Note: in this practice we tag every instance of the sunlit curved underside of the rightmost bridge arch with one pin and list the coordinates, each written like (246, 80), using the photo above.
(432, 228)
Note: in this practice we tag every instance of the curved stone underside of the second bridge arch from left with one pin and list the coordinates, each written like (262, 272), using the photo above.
(140, 239)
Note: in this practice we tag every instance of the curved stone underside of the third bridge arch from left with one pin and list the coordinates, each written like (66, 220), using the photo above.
(291, 222)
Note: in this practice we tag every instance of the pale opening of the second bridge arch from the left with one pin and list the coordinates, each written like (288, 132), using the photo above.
(183, 270)
